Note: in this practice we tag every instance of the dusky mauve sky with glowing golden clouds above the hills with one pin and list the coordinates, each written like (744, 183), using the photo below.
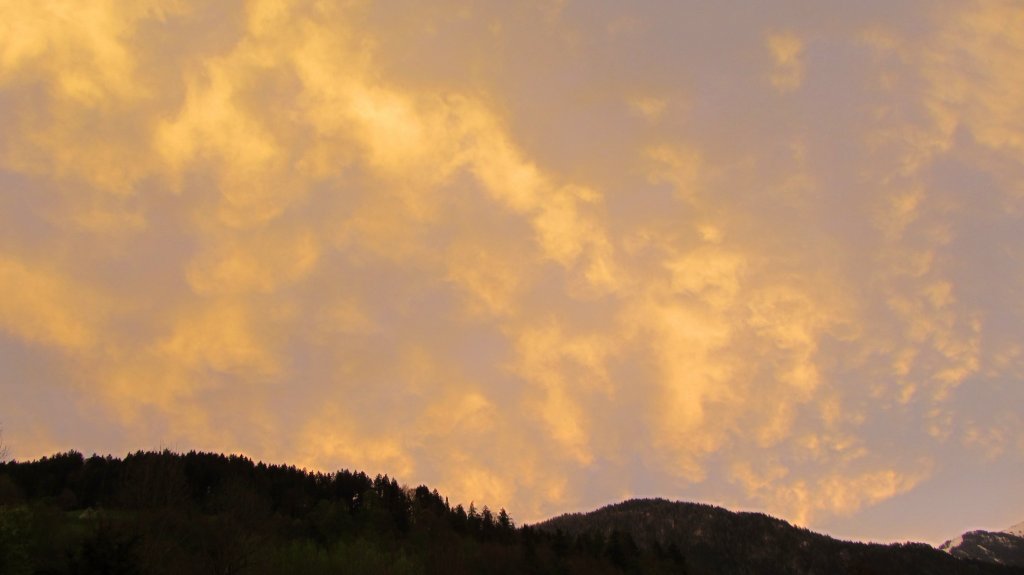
(543, 255)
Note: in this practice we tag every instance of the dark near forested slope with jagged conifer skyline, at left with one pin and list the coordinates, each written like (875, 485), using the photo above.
(205, 513)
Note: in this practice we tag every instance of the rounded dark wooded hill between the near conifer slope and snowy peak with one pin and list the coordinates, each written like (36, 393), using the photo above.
(716, 541)
